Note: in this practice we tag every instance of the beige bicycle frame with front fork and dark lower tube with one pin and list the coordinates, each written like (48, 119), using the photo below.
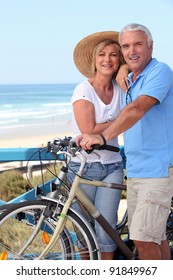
(76, 192)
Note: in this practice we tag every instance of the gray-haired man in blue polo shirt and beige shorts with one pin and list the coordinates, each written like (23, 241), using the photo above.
(146, 121)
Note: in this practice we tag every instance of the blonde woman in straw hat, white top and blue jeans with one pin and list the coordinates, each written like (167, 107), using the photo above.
(96, 103)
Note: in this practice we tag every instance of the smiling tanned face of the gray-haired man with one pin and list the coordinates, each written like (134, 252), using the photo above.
(136, 50)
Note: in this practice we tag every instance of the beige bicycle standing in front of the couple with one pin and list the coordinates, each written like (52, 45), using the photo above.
(49, 228)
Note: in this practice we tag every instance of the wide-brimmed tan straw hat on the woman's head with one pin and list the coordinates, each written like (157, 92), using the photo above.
(84, 49)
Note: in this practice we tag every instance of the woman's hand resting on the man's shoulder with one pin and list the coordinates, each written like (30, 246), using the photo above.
(121, 77)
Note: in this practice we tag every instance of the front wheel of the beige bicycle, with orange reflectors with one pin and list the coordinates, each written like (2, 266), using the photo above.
(27, 227)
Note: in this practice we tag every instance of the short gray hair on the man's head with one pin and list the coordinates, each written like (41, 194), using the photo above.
(137, 27)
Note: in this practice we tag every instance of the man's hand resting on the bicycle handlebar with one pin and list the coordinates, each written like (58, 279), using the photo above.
(87, 140)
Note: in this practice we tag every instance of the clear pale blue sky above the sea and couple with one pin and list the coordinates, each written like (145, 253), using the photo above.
(37, 37)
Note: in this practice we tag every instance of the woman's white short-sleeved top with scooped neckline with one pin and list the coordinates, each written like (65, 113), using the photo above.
(103, 113)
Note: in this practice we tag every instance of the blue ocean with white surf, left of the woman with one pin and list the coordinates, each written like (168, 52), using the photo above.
(21, 105)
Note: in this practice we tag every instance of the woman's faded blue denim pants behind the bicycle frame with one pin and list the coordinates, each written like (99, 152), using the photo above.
(105, 200)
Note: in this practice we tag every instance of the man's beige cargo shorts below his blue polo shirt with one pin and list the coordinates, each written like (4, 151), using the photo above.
(149, 202)
